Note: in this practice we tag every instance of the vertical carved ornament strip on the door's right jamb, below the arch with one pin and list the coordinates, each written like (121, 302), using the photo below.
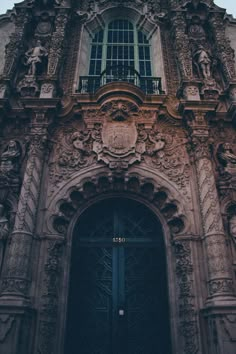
(187, 312)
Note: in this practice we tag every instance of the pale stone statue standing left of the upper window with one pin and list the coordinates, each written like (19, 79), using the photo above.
(34, 57)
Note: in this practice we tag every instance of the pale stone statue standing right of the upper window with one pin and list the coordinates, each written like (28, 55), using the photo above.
(203, 61)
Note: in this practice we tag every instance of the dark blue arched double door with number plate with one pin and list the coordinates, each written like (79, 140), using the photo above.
(118, 298)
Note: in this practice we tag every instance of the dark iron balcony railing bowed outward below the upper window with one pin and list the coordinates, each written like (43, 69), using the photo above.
(149, 85)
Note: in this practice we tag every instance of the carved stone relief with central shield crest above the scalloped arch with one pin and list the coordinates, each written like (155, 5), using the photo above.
(119, 135)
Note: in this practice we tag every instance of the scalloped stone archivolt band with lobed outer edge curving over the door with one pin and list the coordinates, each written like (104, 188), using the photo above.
(89, 189)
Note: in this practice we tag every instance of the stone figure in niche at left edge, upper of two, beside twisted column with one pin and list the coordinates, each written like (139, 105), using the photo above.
(9, 161)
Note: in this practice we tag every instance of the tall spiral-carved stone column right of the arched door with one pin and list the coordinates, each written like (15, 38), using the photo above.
(220, 283)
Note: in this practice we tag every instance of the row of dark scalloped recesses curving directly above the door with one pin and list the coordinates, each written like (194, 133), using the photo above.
(103, 184)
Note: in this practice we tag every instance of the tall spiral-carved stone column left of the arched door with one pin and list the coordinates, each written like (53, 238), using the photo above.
(16, 280)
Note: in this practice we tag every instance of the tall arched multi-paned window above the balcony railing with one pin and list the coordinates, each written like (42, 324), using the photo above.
(120, 49)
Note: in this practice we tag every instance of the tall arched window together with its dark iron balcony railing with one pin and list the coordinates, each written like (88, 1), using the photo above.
(120, 52)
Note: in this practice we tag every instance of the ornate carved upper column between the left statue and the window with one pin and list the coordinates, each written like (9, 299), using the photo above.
(57, 43)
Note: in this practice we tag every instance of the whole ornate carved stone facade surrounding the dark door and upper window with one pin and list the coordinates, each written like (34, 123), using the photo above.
(165, 142)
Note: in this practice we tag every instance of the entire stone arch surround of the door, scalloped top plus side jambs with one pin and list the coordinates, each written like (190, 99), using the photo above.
(145, 186)
